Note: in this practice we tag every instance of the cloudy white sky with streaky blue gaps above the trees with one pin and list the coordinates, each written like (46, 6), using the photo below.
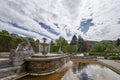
(91, 19)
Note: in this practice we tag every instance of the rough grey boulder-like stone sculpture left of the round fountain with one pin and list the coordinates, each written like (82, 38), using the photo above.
(22, 51)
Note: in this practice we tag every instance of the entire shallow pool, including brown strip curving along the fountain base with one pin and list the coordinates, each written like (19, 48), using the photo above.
(81, 70)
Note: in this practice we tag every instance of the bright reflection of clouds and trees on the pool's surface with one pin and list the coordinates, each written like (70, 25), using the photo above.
(90, 71)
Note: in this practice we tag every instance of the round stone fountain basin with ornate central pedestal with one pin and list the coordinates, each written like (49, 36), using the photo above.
(45, 63)
